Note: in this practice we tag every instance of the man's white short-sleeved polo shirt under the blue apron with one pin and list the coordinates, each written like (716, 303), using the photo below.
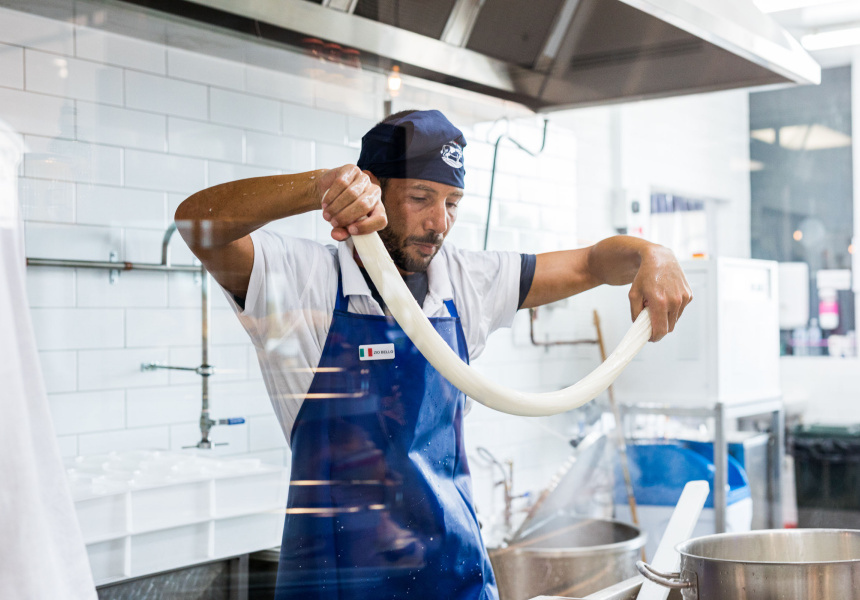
(291, 298)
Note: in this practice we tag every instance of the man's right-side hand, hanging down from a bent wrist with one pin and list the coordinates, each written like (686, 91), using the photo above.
(661, 286)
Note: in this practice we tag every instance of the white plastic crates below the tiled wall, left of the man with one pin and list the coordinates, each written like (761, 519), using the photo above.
(142, 512)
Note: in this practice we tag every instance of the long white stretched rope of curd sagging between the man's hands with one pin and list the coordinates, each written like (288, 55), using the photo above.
(408, 315)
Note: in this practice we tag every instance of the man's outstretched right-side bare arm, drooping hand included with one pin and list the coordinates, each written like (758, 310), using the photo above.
(657, 278)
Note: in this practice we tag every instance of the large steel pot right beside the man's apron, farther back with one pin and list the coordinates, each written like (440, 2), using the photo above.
(567, 557)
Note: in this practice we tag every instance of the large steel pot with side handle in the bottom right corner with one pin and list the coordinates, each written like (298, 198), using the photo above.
(780, 564)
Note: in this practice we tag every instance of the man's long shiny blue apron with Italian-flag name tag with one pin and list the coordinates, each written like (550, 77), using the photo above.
(380, 502)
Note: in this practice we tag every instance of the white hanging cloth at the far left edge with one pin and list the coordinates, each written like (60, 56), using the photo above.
(42, 554)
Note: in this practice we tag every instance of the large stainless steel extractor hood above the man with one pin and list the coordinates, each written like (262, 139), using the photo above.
(545, 54)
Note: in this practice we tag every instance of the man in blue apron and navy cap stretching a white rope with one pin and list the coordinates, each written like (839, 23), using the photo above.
(380, 498)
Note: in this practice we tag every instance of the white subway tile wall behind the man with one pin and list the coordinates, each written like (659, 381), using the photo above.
(120, 130)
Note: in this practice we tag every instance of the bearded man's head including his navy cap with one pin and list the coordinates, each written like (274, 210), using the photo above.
(417, 159)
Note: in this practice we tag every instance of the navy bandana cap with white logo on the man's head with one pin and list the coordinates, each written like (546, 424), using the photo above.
(421, 145)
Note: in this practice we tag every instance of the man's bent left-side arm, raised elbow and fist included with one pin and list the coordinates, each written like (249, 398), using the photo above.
(216, 223)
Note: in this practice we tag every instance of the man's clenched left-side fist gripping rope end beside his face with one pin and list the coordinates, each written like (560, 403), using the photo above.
(351, 202)
